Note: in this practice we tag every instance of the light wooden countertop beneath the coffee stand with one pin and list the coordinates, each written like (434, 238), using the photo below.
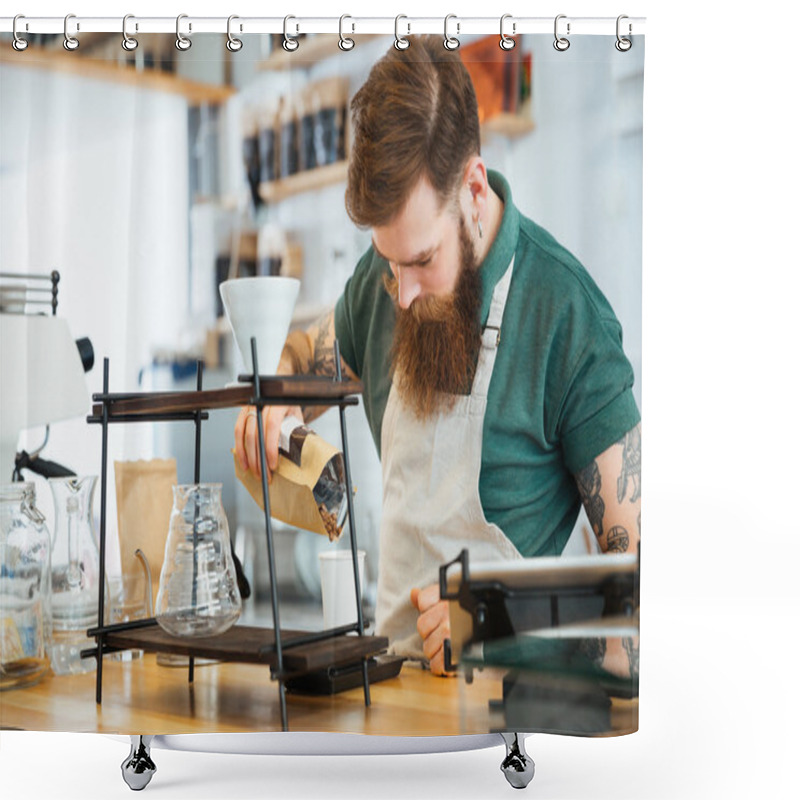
(141, 696)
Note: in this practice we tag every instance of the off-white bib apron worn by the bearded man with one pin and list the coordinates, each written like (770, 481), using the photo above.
(431, 505)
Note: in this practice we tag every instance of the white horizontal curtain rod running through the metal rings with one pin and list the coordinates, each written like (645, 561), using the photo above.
(457, 26)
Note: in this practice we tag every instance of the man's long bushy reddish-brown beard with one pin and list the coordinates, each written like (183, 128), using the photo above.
(437, 339)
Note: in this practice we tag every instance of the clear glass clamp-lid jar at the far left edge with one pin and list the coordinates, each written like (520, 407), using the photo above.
(25, 607)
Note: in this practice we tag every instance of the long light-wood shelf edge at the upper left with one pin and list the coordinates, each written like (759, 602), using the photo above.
(102, 69)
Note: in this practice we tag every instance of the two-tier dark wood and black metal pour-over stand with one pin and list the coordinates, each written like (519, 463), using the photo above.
(294, 656)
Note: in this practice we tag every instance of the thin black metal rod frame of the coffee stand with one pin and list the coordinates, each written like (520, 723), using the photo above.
(105, 419)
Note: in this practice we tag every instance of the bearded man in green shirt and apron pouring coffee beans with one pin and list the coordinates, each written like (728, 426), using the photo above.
(495, 383)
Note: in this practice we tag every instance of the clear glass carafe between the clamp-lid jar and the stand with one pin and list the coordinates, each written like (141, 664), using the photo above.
(76, 574)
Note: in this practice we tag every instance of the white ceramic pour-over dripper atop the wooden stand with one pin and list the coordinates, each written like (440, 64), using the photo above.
(260, 307)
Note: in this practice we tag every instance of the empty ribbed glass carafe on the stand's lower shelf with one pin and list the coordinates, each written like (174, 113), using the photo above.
(198, 594)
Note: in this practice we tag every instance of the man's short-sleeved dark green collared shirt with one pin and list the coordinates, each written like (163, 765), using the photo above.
(561, 390)
